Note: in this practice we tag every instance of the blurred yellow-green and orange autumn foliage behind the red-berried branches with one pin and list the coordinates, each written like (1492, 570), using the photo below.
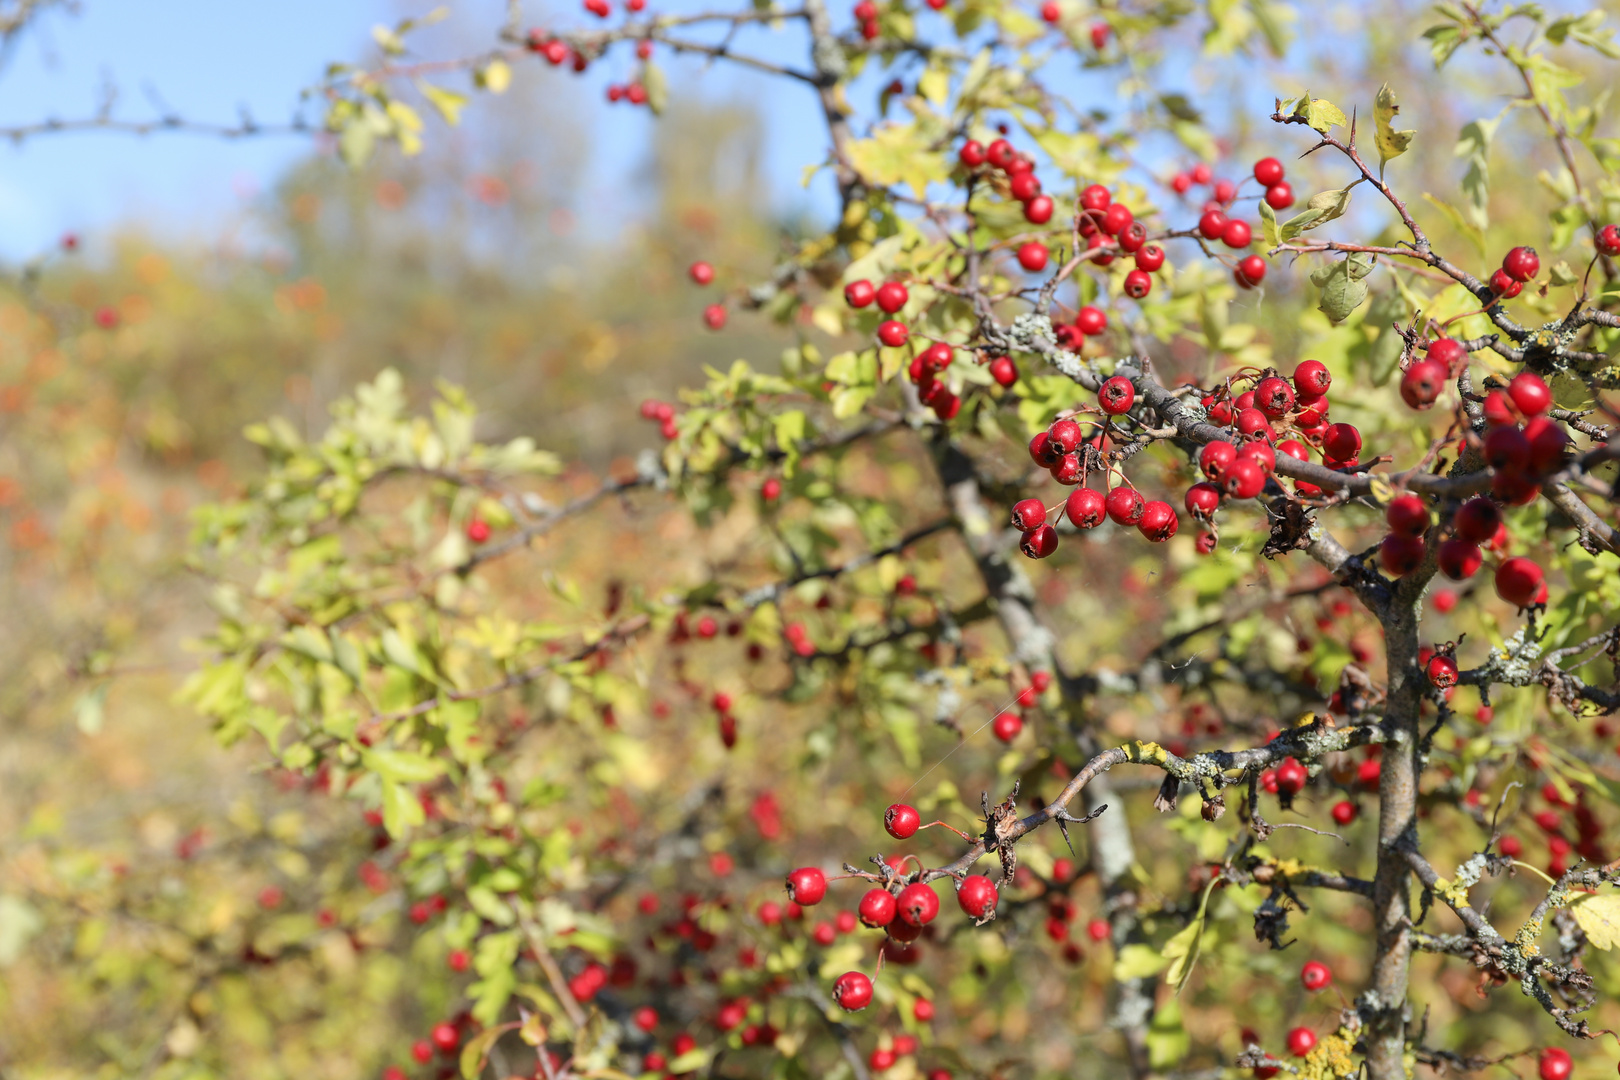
(135, 854)
